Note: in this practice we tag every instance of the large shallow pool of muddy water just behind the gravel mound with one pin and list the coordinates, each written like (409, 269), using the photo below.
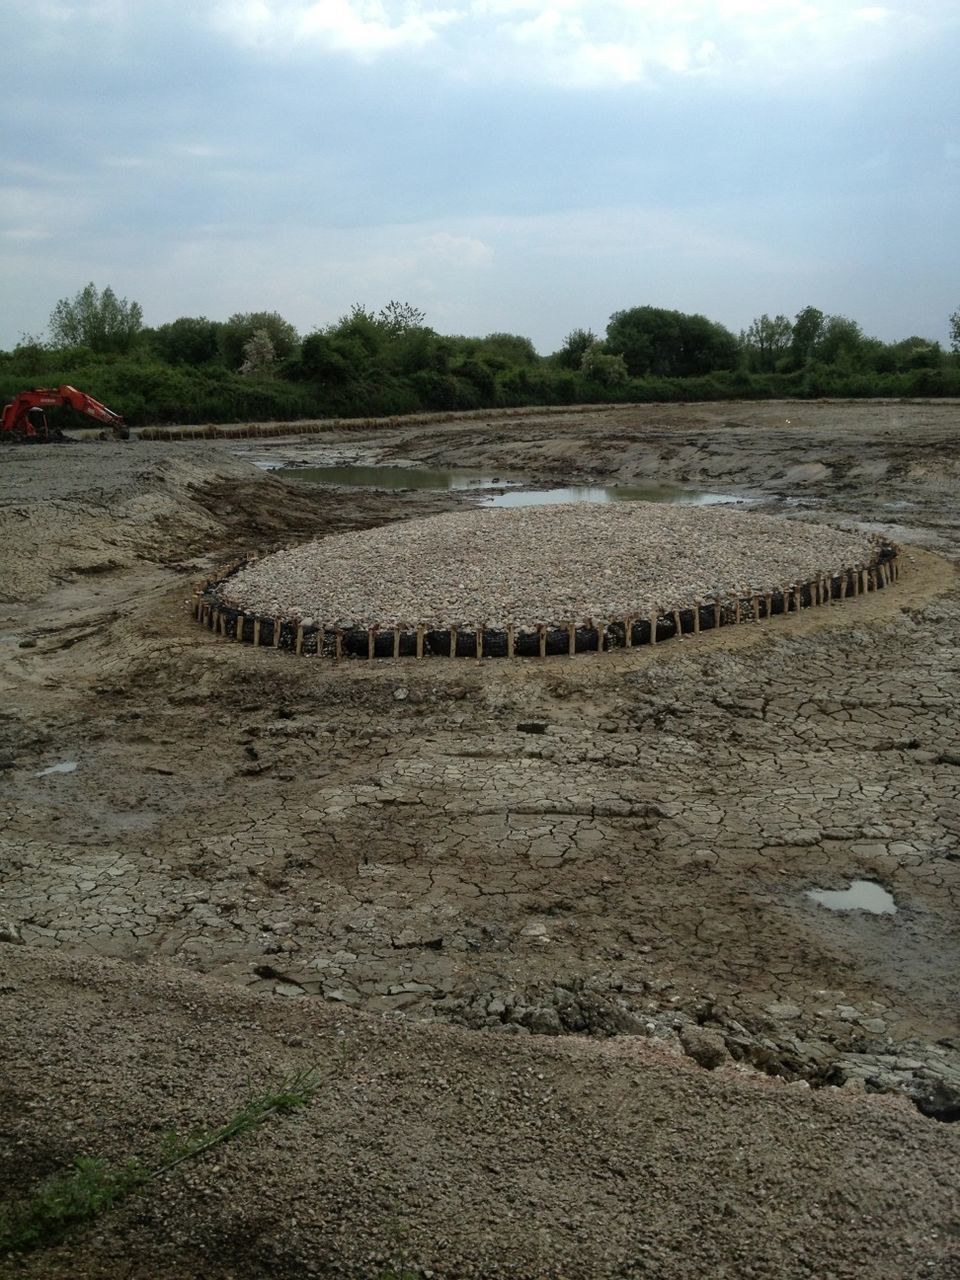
(513, 496)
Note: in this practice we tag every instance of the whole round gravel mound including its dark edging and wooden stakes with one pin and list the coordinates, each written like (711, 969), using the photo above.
(536, 580)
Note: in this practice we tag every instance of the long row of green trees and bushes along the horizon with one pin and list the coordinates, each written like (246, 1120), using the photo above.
(257, 367)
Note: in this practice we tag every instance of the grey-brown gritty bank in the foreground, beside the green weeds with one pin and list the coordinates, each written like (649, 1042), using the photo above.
(433, 1151)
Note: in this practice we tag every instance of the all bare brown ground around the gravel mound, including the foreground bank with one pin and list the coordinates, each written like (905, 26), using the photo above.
(595, 868)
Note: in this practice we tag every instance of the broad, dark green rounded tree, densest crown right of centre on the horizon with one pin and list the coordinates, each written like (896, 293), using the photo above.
(670, 344)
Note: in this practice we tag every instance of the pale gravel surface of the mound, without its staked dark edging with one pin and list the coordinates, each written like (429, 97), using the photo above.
(534, 565)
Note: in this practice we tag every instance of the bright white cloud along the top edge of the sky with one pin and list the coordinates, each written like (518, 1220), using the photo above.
(578, 44)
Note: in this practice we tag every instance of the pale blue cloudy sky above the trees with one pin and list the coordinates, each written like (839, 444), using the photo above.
(502, 164)
